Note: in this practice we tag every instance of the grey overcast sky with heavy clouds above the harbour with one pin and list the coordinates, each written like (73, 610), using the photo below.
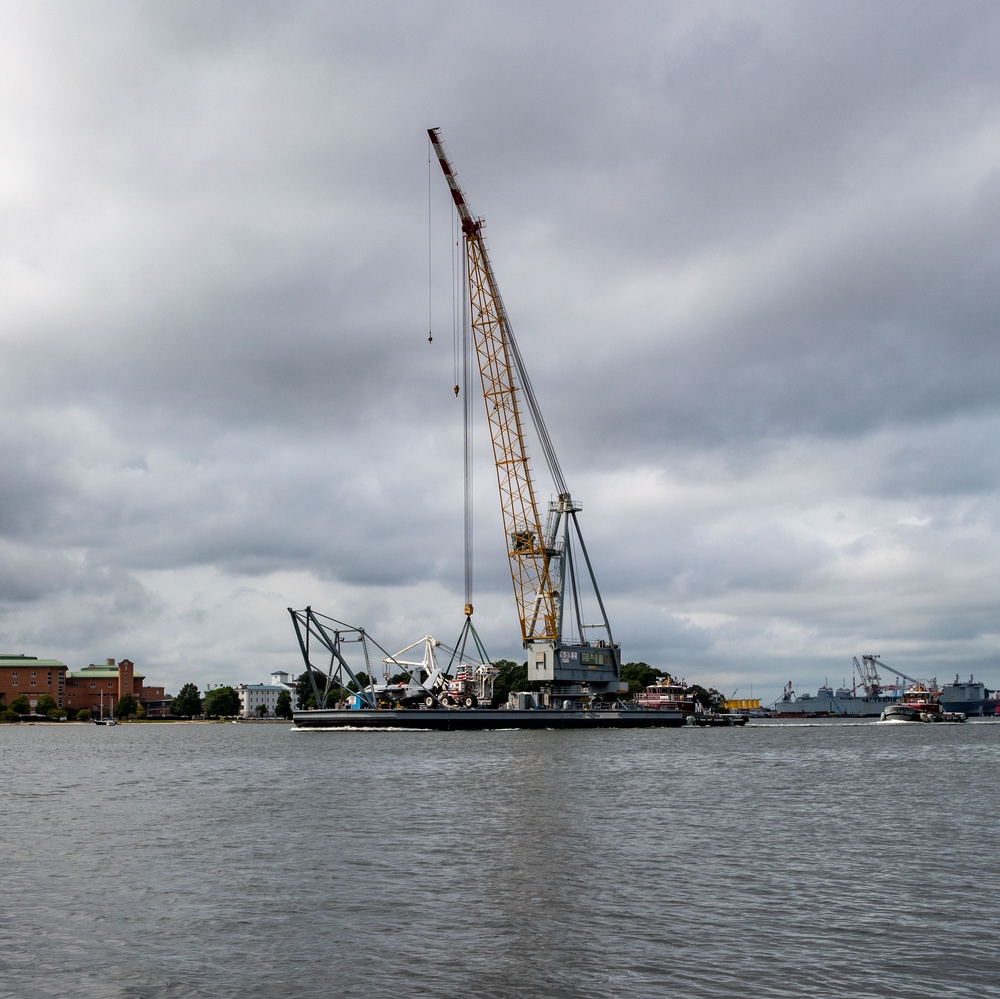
(750, 252)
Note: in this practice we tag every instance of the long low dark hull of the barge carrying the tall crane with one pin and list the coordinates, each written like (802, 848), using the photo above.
(455, 720)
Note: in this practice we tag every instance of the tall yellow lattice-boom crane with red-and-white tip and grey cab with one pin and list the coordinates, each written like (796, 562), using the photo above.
(552, 594)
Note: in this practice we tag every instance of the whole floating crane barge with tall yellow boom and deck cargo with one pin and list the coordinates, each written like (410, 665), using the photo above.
(573, 659)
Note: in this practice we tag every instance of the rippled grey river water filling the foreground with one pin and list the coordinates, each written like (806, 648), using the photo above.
(831, 859)
